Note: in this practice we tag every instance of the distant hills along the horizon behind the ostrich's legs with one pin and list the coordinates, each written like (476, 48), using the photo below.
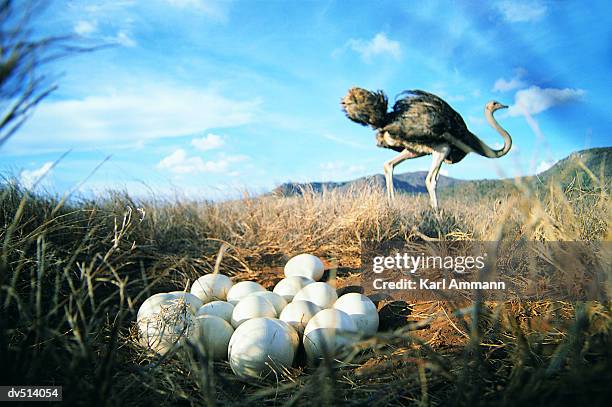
(566, 171)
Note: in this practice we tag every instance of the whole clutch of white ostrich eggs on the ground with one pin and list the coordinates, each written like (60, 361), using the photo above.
(254, 329)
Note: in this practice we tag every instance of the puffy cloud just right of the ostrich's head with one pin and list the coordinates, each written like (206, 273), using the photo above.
(534, 100)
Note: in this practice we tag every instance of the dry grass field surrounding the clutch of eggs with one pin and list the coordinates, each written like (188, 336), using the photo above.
(74, 272)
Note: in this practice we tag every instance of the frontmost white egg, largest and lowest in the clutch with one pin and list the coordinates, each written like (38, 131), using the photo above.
(259, 346)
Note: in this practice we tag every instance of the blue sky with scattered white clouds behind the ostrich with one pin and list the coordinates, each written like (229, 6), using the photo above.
(208, 98)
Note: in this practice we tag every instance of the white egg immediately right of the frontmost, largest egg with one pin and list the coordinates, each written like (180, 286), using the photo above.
(327, 332)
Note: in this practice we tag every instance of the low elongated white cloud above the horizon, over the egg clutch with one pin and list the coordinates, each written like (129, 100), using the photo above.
(180, 163)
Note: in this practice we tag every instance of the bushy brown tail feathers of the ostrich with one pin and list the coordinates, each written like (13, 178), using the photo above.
(365, 107)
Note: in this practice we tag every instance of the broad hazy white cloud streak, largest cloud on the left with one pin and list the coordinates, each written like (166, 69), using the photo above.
(127, 115)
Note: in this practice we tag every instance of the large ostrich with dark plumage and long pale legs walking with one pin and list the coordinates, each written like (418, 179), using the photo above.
(420, 124)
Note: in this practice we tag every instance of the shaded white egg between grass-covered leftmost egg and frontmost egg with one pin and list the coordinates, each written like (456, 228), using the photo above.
(213, 334)
